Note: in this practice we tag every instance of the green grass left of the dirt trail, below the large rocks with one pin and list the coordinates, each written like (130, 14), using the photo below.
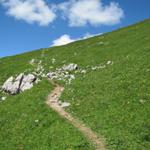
(19, 129)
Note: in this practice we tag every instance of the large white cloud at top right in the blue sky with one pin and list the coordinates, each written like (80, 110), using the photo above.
(83, 12)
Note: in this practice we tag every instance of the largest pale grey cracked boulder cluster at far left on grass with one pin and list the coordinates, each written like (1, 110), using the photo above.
(19, 84)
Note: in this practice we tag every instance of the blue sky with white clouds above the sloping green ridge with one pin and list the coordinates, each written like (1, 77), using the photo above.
(33, 24)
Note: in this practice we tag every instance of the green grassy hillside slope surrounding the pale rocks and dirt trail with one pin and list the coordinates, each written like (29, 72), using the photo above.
(114, 101)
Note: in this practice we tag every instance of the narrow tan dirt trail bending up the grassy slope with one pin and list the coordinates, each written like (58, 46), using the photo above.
(52, 101)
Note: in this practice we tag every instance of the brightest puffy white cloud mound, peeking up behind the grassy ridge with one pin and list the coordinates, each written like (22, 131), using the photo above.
(63, 40)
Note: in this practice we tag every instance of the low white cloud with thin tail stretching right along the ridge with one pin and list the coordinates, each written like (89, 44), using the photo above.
(66, 39)
